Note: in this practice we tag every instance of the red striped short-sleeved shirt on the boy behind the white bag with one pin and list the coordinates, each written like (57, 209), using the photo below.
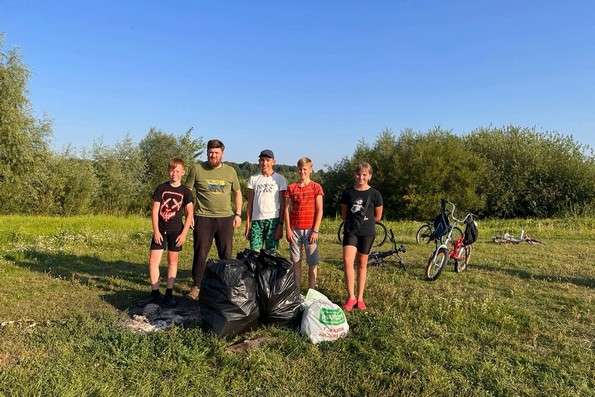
(303, 204)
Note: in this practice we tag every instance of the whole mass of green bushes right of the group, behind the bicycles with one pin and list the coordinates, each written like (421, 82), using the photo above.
(494, 172)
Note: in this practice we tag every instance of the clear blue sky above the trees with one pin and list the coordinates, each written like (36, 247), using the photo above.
(304, 77)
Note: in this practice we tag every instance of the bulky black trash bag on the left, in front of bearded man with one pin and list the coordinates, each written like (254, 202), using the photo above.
(228, 303)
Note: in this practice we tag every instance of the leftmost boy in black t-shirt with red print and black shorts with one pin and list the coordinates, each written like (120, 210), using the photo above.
(170, 200)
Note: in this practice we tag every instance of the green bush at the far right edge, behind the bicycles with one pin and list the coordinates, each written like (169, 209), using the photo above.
(533, 173)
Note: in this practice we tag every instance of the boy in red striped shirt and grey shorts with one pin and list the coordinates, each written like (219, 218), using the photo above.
(303, 214)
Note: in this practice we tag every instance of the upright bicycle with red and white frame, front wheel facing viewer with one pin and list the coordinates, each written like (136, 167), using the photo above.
(448, 247)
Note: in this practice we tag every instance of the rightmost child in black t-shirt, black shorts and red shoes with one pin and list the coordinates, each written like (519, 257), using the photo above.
(361, 208)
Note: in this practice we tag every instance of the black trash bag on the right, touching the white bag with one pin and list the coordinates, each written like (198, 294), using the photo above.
(278, 295)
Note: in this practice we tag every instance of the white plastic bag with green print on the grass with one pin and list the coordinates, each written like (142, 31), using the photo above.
(322, 319)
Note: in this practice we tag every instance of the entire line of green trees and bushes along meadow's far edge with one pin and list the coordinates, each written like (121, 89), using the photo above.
(495, 172)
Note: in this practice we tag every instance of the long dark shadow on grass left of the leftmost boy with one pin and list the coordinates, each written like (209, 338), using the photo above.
(112, 277)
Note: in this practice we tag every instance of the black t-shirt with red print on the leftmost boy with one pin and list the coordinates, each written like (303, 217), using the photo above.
(173, 201)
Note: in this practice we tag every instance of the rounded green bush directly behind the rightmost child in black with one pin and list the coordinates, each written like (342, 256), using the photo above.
(413, 171)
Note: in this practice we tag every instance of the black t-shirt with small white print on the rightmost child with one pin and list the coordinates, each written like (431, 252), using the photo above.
(355, 201)
